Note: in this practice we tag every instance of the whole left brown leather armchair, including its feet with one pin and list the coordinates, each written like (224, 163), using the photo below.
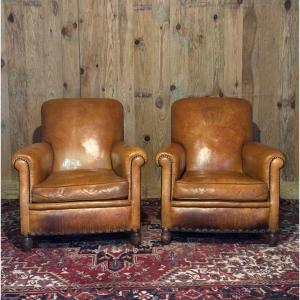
(82, 178)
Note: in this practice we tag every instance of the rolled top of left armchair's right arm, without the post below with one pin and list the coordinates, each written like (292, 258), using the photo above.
(124, 155)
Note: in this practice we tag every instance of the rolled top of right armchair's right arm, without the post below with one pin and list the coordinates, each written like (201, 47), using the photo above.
(259, 159)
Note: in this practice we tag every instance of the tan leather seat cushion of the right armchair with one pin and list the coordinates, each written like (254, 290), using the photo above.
(221, 185)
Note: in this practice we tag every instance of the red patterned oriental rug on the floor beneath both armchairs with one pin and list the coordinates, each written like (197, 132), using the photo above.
(193, 266)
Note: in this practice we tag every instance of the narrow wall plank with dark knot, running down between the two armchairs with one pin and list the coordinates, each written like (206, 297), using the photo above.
(161, 85)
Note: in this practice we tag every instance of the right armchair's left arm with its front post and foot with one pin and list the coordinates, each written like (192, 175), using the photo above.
(172, 161)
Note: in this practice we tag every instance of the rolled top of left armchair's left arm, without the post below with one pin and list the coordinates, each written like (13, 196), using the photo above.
(37, 158)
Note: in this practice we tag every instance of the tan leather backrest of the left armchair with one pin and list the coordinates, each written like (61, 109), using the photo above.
(82, 131)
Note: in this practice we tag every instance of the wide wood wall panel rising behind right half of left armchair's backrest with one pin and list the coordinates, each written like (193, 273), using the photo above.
(106, 54)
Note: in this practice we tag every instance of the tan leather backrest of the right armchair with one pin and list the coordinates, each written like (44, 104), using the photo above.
(212, 131)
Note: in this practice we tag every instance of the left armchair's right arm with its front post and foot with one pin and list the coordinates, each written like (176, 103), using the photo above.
(127, 162)
